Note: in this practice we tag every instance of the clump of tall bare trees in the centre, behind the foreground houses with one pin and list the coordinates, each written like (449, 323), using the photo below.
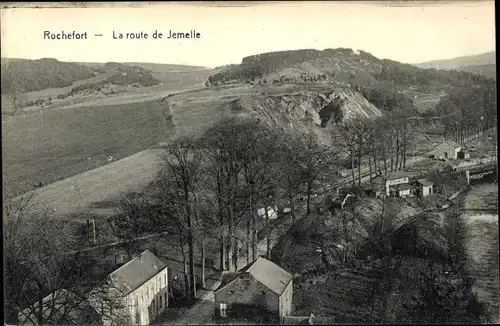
(212, 187)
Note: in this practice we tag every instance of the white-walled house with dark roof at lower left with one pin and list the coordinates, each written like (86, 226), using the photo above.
(142, 284)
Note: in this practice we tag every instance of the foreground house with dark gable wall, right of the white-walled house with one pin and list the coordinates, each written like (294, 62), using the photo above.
(261, 292)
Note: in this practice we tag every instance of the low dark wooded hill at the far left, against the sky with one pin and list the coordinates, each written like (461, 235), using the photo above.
(23, 75)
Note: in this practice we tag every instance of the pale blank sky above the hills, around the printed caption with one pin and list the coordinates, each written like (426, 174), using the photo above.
(421, 32)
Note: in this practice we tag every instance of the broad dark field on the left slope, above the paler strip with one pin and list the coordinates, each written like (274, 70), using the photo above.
(54, 144)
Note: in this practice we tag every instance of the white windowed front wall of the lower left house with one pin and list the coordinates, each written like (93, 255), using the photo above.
(149, 300)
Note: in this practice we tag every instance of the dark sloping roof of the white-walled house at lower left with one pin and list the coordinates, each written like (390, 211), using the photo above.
(136, 272)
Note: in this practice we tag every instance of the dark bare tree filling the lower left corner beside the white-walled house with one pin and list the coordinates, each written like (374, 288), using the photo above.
(43, 286)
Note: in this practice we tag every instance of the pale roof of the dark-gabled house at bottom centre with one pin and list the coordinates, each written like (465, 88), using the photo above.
(265, 272)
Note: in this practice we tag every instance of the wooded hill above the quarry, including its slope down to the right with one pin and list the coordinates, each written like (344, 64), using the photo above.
(388, 84)
